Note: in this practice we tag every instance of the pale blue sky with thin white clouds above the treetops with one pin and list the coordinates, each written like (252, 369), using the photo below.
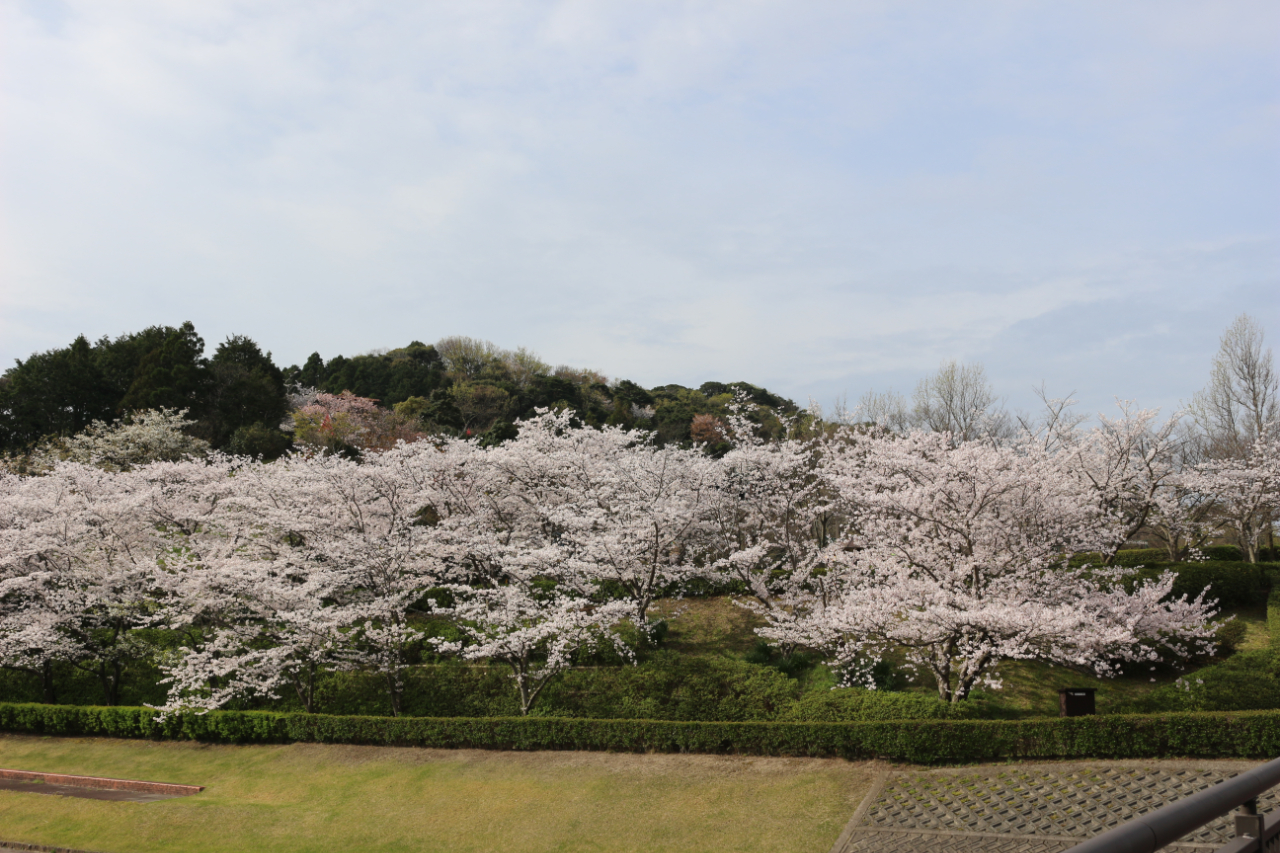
(820, 198)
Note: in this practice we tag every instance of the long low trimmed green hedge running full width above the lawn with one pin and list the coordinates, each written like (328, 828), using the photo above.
(927, 742)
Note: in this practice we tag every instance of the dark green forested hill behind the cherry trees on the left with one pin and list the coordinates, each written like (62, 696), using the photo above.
(239, 396)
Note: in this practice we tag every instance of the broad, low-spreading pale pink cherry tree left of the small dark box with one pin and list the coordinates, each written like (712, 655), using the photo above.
(958, 558)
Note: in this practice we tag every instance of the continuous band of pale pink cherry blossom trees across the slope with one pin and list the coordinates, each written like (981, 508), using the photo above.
(853, 541)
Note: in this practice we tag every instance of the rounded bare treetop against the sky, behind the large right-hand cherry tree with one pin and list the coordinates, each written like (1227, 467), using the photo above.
(959, 400)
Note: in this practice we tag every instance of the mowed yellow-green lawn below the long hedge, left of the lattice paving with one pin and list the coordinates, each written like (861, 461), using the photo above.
(313, 797)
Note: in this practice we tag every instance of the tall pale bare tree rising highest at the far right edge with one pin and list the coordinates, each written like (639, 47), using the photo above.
(1241, 404)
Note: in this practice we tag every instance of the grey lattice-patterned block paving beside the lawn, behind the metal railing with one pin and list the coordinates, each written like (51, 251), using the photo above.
(1028, 809)
